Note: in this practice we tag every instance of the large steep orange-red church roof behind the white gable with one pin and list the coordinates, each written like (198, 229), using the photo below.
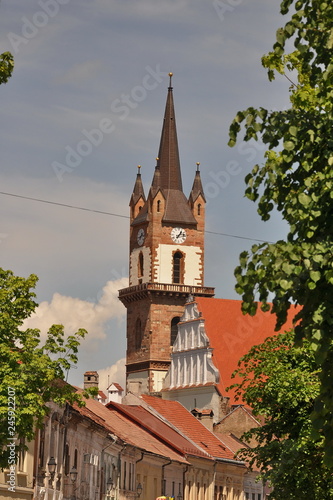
(232, 334)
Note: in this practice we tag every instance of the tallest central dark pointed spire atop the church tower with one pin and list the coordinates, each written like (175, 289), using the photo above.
(168, 155)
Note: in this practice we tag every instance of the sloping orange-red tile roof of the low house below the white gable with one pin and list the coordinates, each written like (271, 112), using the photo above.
(181, 418)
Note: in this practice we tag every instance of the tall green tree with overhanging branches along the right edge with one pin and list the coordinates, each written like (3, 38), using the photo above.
(297, 180)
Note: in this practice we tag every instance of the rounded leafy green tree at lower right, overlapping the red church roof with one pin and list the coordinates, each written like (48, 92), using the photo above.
(280, 382)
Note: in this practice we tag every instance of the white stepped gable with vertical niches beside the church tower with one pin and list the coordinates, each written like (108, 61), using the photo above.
(191, 359)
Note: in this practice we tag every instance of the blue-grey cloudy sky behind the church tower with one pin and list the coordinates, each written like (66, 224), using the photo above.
(85, 106)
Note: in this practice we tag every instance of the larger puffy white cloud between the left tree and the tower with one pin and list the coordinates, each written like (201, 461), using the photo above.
(75, 313)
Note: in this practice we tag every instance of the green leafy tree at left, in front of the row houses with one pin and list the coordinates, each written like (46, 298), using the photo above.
(32, 372)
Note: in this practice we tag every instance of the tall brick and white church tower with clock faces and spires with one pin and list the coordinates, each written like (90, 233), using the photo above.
(166, 261)
